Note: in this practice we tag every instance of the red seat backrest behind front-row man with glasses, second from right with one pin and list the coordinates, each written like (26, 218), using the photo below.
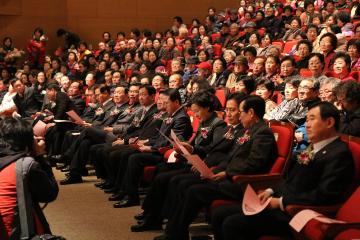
(284, 134)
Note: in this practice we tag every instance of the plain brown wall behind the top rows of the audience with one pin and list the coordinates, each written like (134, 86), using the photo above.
(89, 18)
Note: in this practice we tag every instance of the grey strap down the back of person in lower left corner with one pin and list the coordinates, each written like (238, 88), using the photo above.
(27, 224)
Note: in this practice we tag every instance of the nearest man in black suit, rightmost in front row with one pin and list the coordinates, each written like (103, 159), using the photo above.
(318, 177)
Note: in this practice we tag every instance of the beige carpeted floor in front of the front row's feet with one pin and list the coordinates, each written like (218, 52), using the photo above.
(82, 212)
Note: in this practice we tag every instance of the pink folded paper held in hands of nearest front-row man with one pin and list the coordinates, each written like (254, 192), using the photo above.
(251, 204)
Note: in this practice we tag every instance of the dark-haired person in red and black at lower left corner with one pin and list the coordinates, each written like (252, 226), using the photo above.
(39, 177)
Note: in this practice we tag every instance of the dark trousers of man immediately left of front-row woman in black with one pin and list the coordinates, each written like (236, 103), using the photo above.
(135, 168)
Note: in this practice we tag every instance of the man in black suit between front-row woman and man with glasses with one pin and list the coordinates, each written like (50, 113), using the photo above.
(162, 192)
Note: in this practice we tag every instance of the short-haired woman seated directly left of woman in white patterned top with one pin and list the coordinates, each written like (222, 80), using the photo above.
(265, 89)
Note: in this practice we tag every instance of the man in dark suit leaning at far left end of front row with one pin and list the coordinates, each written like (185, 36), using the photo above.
(25, 102)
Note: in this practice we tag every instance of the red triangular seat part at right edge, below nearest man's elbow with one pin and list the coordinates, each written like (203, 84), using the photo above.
(350, 210)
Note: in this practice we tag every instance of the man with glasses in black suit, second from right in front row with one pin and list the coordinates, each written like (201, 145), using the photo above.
(255, 153)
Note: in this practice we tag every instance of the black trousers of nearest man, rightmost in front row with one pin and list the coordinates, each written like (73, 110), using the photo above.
(229, 223)
